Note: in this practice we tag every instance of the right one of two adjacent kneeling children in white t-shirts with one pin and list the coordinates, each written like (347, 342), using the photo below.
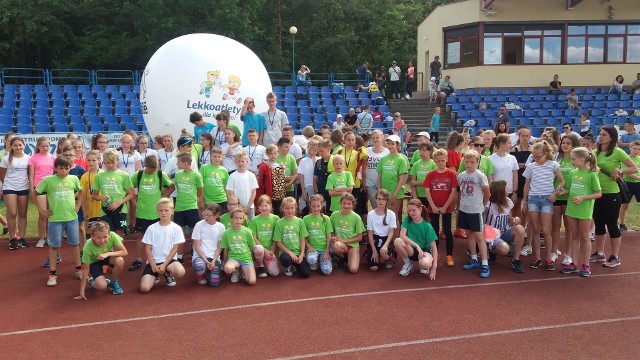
(206, 236)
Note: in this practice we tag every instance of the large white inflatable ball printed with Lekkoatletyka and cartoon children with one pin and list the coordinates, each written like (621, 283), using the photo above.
(206, 73)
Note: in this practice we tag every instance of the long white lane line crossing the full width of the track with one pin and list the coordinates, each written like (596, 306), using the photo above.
(294, 301)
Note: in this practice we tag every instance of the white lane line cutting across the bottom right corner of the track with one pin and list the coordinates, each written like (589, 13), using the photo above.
(460, 337)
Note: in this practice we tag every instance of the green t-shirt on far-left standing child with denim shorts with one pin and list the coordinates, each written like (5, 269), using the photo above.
(61, 196)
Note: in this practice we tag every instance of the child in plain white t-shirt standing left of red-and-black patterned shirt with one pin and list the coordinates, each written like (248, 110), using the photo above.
(243, 184)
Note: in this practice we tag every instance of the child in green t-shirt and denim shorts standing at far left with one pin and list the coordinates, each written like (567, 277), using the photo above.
(60, 190)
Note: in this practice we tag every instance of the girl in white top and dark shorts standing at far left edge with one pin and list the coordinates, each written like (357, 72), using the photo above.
(15, 191)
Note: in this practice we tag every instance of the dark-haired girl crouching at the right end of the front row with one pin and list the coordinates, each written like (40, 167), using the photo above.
(512, 233)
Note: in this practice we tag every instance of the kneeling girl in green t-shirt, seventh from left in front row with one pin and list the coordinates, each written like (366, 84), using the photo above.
(320, 230)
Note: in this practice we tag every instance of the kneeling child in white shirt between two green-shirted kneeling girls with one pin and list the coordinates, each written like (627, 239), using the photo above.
(381, 223)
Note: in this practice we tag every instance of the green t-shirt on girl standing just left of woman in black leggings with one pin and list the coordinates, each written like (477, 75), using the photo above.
(581, 182)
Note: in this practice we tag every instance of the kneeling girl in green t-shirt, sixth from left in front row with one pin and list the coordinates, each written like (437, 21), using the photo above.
(290, 234)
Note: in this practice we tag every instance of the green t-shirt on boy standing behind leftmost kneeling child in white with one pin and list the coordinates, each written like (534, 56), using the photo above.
(149, 193)
